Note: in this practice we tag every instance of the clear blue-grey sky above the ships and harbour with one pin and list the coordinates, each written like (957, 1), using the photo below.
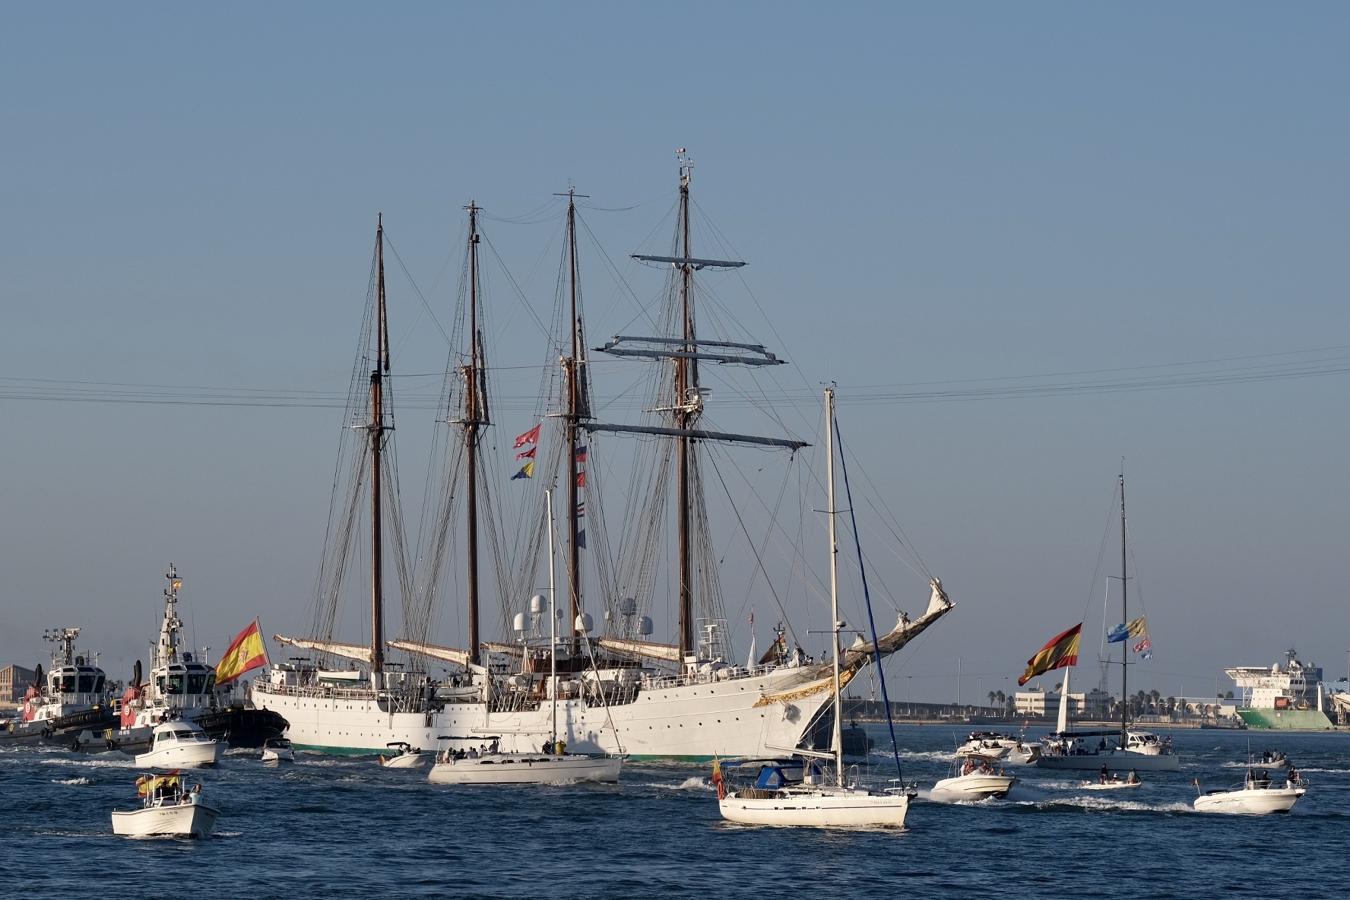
(969, 217)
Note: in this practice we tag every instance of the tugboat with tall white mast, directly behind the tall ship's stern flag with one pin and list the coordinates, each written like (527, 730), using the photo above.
(184, 687)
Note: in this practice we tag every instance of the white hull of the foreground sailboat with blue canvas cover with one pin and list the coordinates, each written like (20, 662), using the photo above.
(817, 808)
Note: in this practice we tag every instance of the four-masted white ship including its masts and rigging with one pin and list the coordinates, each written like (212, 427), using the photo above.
(611, 689)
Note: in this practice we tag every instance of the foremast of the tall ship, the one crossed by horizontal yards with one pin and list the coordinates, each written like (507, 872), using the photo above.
(686, 380)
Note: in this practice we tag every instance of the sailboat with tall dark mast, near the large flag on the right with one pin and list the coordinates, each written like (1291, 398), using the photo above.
(1124, 751)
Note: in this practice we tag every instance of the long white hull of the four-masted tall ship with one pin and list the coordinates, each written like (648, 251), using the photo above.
(684, 721)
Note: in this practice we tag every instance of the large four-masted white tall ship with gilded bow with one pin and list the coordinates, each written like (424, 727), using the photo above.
(688, 700)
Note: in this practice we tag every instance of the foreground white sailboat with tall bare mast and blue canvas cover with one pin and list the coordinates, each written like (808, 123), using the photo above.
(835, 802)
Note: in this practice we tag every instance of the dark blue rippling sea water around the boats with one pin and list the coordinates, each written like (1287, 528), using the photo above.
(329, 826)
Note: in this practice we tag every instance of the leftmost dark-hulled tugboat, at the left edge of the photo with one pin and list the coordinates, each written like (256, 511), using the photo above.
(72, 700)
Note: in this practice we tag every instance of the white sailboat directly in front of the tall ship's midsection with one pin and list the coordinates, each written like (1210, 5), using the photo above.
(553, 766)
